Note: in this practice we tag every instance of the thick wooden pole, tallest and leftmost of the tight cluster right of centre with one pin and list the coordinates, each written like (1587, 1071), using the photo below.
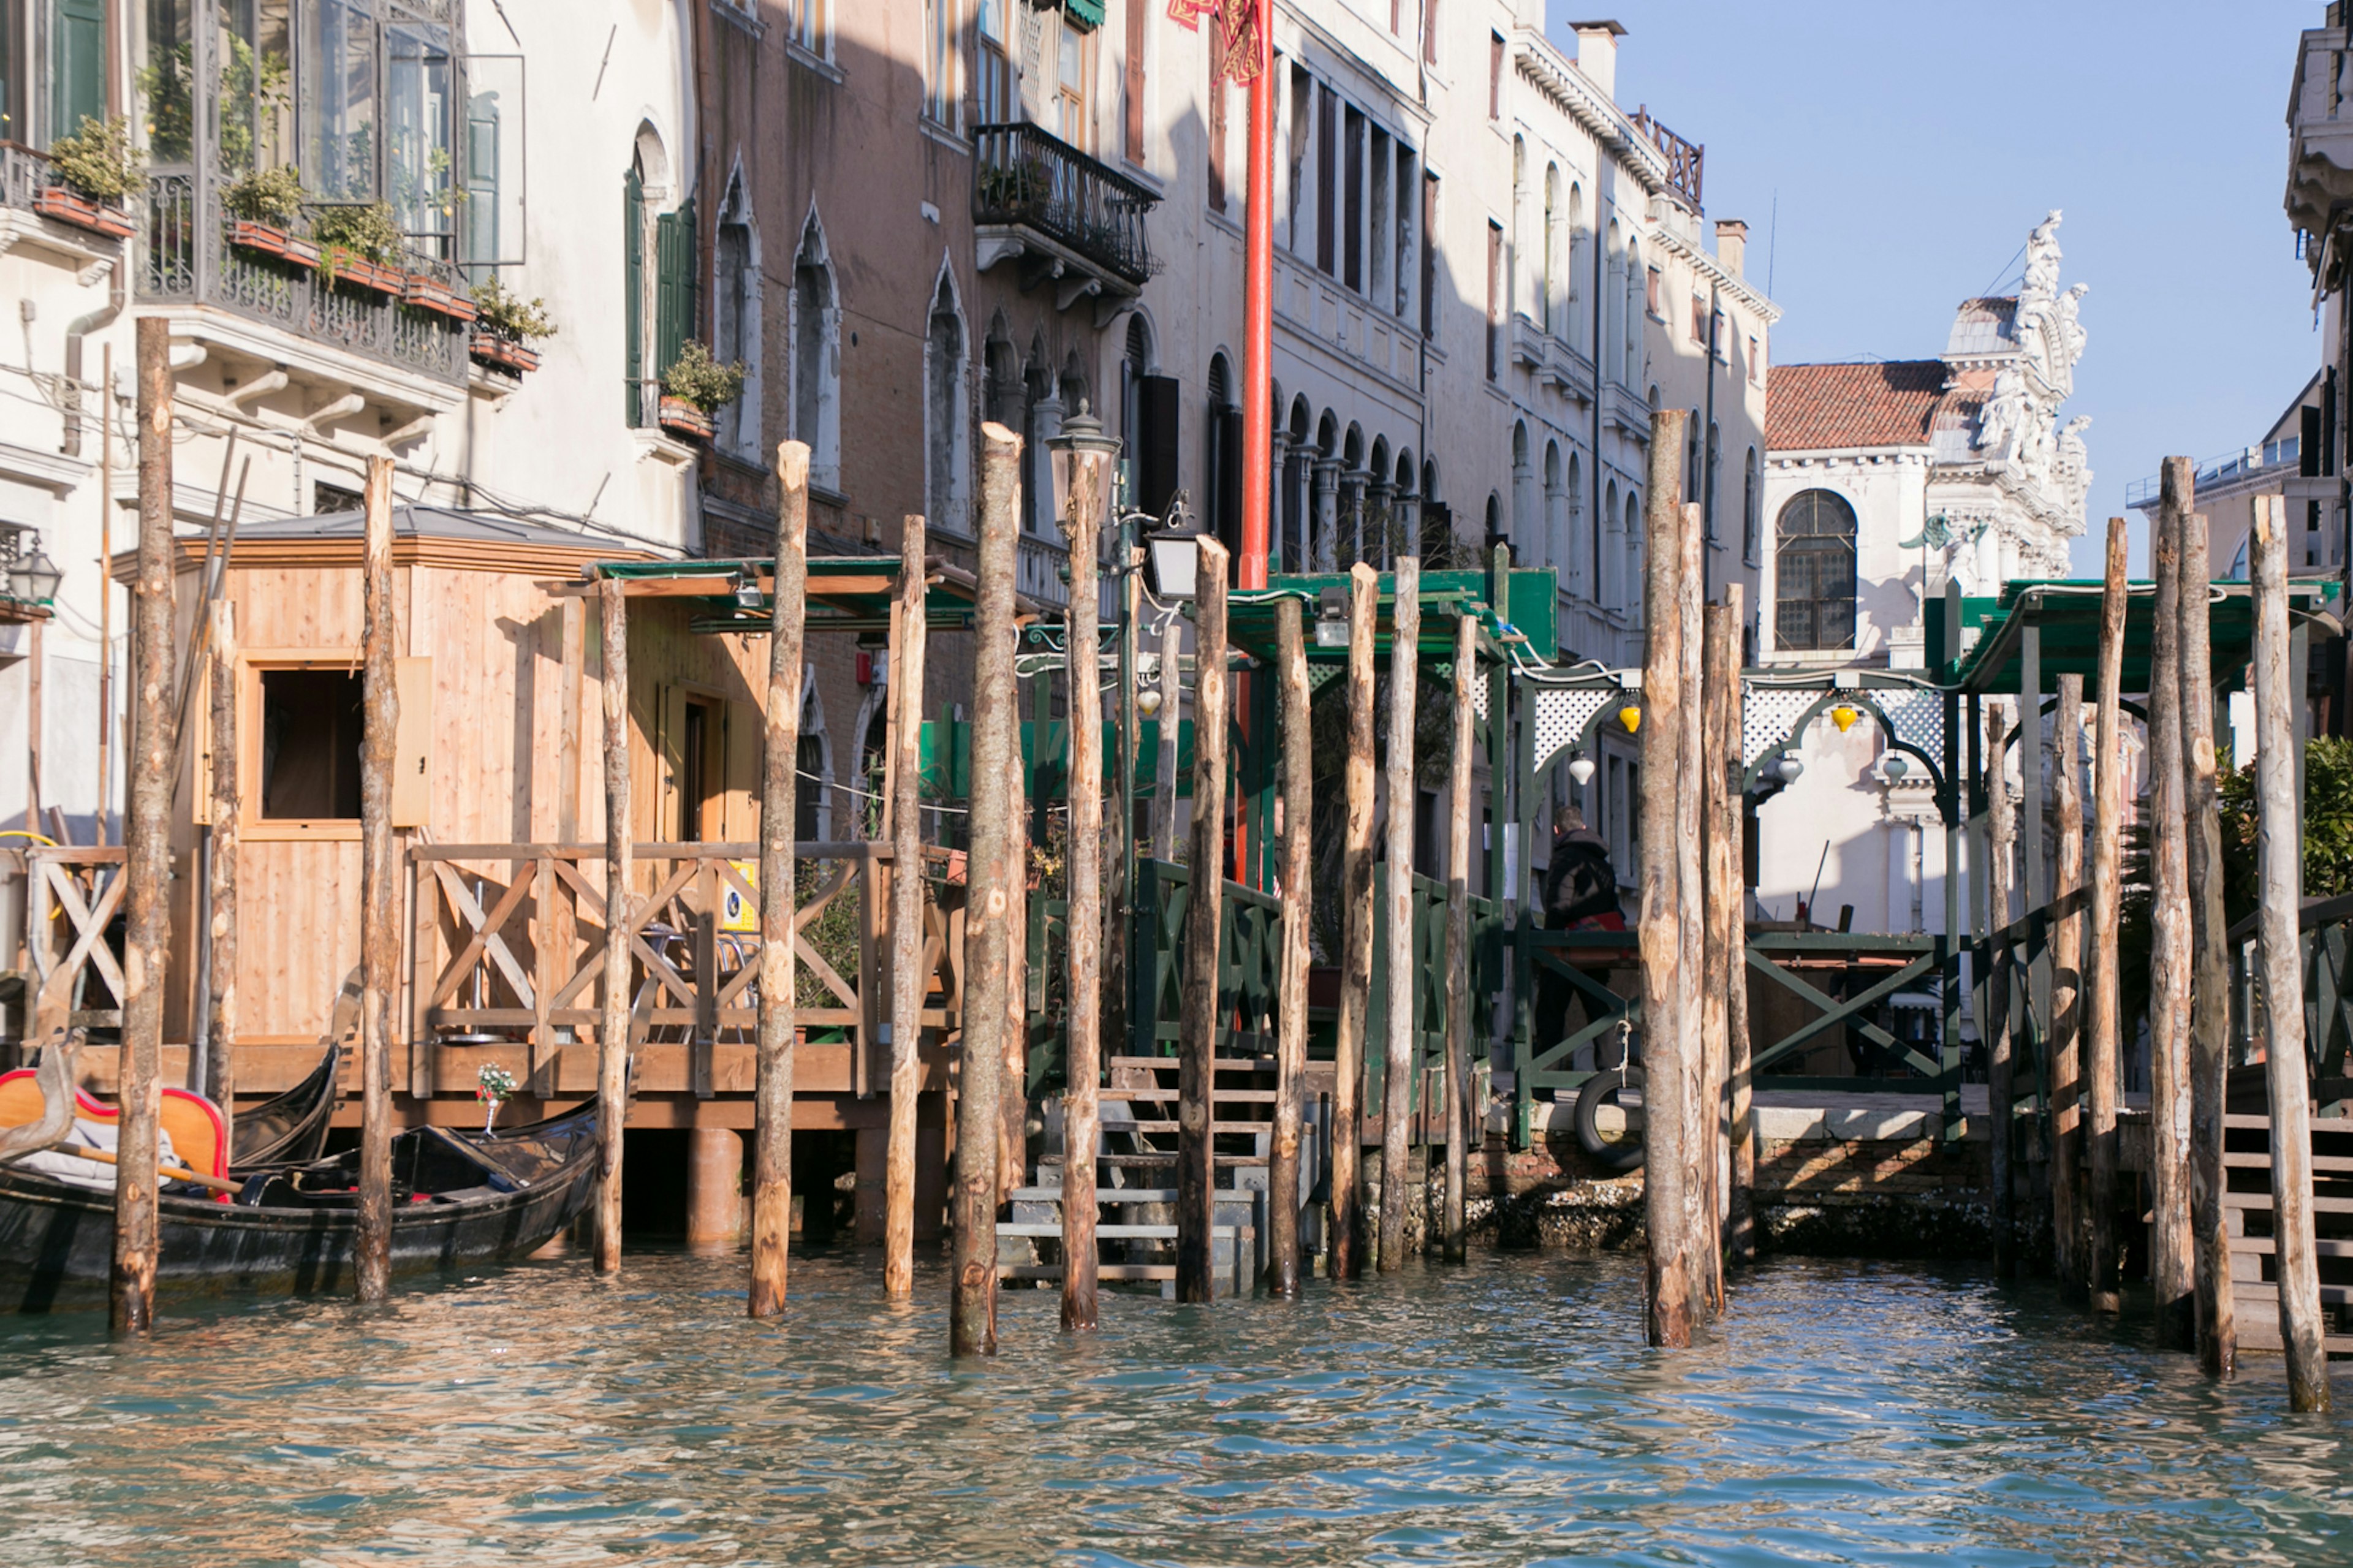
(1660, 924)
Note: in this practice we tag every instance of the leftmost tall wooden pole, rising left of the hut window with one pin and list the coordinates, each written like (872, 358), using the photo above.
(147, 849)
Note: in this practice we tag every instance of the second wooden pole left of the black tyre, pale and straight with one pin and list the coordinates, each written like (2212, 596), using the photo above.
(1401, 1058)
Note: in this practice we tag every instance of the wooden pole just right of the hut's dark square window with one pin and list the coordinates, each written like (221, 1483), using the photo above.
(380, 889)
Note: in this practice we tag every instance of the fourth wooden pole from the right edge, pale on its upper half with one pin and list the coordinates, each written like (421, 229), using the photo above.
(2107, 889)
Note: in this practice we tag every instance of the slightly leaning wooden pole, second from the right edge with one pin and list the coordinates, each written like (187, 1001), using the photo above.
(2211, 962)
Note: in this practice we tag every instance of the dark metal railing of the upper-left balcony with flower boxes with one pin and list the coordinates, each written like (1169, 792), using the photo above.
(189, 260)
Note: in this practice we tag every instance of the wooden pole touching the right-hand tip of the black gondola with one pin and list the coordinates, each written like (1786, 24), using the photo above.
(620, 870)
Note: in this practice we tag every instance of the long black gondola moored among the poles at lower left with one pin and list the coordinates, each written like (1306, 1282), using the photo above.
(460, 1200)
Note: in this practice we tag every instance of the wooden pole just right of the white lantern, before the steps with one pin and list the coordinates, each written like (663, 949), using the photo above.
(1199, 1016)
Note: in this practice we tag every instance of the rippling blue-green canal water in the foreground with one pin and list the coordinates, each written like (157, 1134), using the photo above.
(1502, 1414)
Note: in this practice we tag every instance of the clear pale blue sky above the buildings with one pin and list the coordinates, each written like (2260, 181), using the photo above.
(1912, 150)
